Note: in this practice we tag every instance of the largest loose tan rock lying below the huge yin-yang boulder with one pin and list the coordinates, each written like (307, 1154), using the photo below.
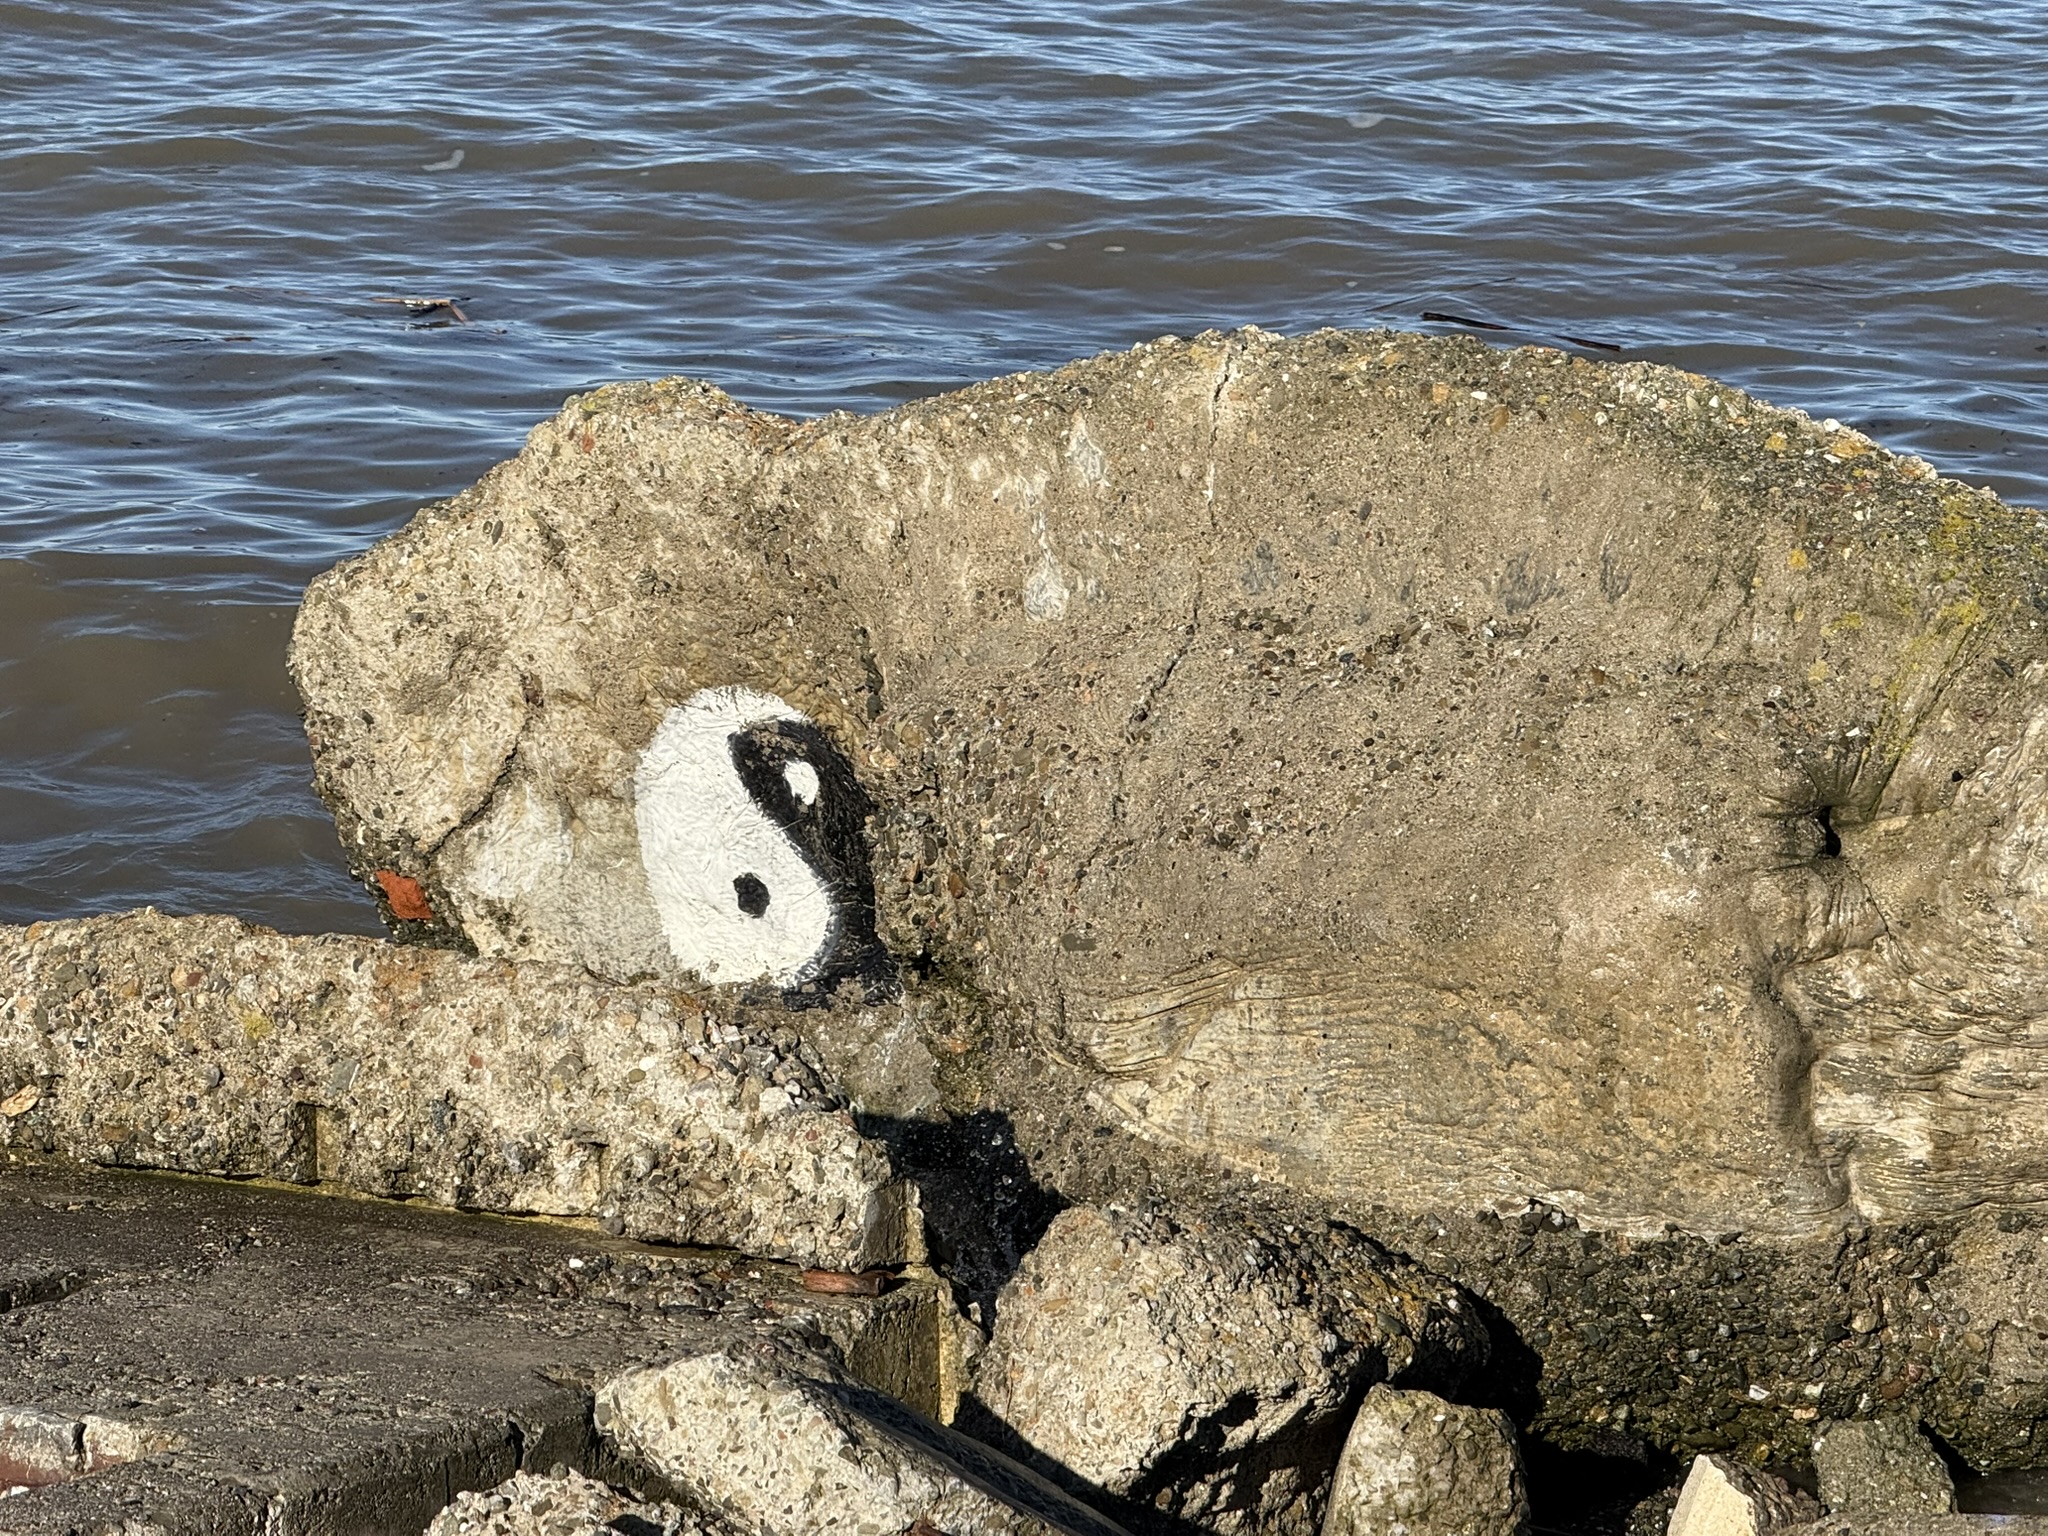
(1201, 1373)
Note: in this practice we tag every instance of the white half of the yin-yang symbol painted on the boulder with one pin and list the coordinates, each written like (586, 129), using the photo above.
(703, 841)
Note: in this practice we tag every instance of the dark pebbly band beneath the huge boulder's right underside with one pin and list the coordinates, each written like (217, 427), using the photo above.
(1744, 1347)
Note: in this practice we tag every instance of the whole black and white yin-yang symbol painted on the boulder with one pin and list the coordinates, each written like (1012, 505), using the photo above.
(755, 837)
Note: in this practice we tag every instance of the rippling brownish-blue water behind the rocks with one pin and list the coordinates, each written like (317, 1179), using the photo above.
(843, 206)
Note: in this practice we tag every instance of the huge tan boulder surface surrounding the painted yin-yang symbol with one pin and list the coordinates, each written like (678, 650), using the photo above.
(1410, 771)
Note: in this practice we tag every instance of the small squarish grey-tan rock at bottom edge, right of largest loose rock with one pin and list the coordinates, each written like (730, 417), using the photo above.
(1416, 1465)
